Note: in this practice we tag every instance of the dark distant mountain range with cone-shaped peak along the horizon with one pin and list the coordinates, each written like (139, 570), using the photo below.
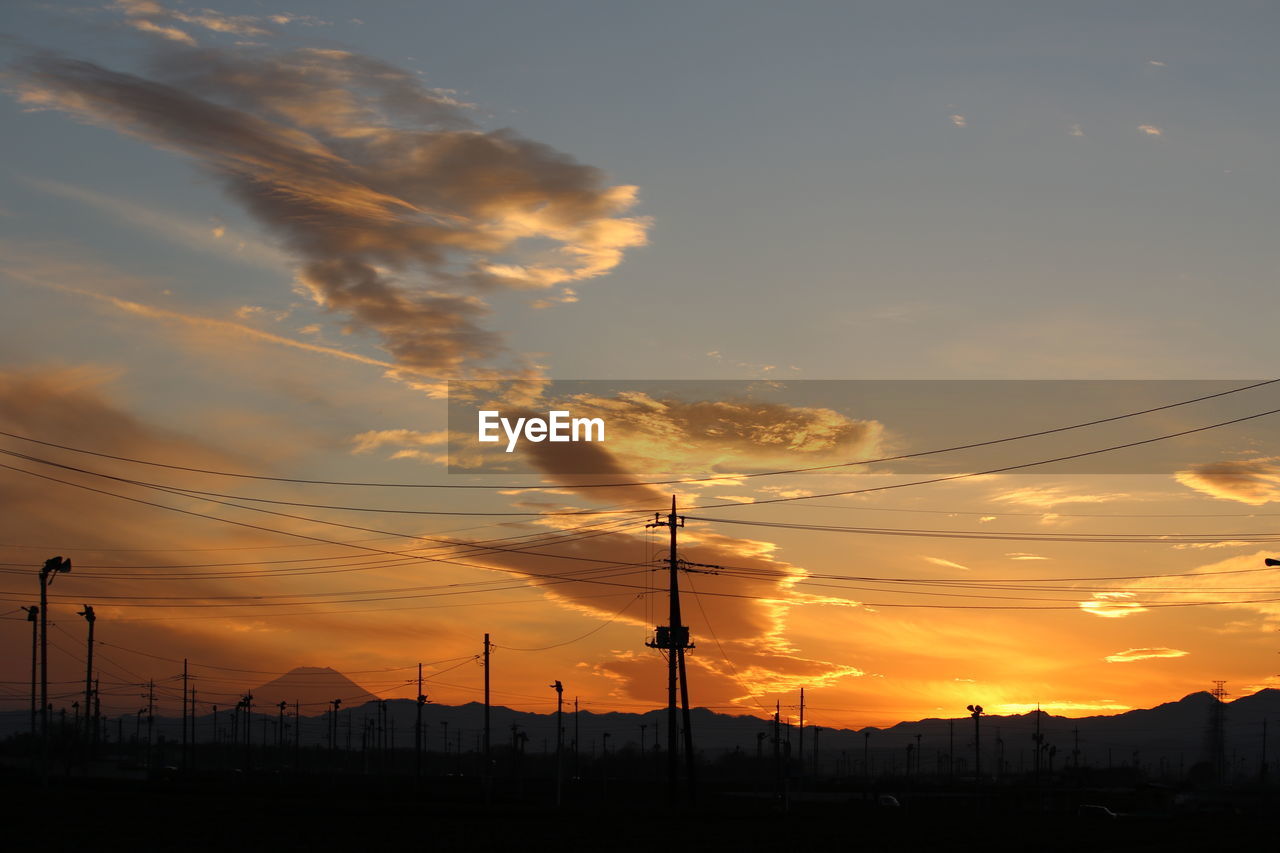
(1172, 735)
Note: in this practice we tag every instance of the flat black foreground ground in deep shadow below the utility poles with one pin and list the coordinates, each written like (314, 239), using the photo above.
(333, 815)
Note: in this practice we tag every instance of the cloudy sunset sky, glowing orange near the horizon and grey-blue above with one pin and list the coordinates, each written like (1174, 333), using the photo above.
(252, 245)
